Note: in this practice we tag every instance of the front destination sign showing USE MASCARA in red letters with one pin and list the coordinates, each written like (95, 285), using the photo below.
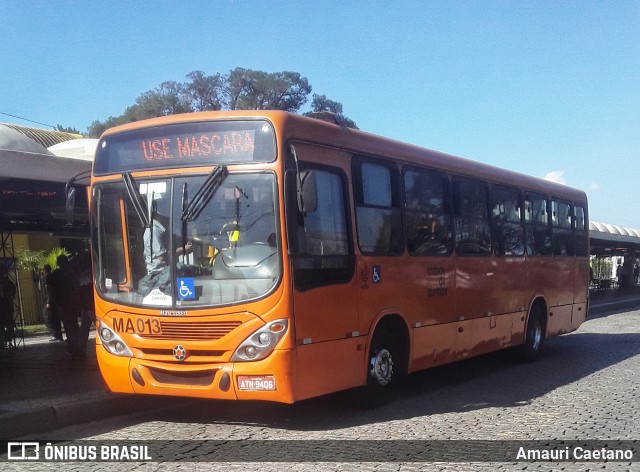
(186, 144)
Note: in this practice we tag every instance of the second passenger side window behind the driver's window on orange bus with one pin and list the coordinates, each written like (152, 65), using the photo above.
(427, 213)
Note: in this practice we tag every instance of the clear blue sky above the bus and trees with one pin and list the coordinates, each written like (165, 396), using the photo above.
(546, 88)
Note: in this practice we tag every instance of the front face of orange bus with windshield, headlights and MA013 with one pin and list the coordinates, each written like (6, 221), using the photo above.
(187, 253)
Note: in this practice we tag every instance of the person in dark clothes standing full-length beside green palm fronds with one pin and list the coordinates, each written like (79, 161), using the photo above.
(66, 301)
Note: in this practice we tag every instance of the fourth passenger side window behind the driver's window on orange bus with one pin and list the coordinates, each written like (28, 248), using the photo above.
(508, 233)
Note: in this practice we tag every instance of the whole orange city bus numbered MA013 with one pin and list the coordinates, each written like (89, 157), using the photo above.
(271, 256)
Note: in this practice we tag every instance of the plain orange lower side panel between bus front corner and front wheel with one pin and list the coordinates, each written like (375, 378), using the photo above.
(329, 367)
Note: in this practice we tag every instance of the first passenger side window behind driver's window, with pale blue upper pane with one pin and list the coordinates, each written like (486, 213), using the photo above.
(378, 215)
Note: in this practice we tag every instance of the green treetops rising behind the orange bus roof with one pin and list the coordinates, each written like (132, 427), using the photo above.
(240, 89)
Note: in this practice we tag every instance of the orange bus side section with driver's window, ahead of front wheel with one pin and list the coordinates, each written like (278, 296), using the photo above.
(329, 347)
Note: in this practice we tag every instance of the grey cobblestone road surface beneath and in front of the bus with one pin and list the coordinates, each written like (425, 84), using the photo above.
(585, 387)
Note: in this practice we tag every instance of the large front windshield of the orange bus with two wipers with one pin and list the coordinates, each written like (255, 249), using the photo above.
(222, 250)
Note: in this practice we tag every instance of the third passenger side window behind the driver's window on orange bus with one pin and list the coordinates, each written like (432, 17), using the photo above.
(472, 228)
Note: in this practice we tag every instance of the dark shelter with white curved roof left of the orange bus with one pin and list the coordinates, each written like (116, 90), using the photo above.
(35, 166)
